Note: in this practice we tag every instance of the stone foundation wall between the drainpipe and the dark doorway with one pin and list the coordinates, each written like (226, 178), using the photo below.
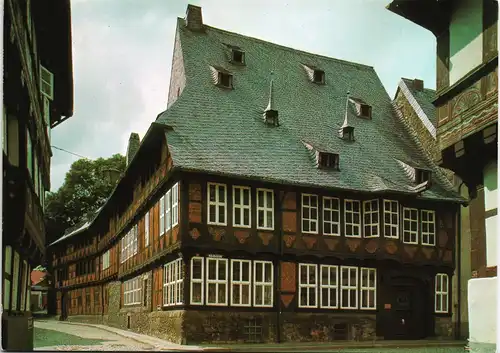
(307, 327)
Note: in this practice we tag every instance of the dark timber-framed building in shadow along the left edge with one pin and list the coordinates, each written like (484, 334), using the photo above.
(38, 95)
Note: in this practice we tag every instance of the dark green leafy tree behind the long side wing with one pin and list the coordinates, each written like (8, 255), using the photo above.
(85, 189)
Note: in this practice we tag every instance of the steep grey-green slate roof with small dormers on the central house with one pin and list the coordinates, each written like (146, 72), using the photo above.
(221, 131)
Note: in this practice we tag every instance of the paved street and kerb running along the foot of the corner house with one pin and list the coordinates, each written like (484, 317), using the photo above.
(52, 335)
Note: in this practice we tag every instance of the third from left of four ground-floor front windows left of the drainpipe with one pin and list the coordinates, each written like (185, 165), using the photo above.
(240, 282)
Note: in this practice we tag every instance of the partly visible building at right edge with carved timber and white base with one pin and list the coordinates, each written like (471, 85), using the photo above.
(467, 106)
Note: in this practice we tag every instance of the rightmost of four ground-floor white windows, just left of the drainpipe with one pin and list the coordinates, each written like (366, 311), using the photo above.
(263, 274)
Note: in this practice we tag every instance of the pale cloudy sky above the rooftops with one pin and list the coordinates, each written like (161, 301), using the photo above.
(122, 54)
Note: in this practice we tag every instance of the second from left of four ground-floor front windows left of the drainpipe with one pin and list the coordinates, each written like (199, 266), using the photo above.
(217, 281)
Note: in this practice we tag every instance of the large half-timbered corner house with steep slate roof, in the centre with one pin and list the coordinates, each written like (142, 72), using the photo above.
(278, 198)
